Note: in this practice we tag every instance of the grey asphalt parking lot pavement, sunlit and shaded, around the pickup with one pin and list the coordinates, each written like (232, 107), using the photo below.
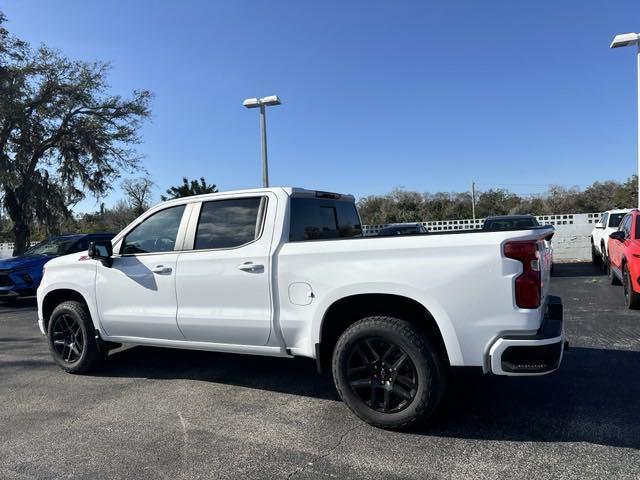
(156, 413)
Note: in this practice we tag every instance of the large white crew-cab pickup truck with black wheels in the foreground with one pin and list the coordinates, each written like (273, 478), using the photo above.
(286, 272)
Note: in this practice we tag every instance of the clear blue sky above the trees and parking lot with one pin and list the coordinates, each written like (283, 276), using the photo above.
(378, 94)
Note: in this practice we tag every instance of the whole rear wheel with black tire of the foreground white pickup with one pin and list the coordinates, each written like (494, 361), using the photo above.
(389, 373)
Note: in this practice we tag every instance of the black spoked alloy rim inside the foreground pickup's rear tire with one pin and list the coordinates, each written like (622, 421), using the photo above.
(382, 375)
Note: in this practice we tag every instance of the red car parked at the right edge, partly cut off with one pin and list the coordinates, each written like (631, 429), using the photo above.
(624, 257)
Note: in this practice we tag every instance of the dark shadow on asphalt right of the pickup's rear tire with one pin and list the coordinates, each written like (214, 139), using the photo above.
(592, 398)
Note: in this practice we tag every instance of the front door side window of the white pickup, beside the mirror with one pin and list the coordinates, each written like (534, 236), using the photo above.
(155, 234)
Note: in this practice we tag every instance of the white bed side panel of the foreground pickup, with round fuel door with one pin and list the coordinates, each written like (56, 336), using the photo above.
(461, 279)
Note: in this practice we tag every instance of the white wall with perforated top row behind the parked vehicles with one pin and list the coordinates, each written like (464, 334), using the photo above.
(570, 243)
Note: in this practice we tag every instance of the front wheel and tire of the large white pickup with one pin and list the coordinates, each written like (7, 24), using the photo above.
(72, 338)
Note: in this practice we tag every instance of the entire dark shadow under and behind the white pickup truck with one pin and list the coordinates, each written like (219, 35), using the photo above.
(592, 398)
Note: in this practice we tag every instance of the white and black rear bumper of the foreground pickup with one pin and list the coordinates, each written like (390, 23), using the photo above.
(536, 354)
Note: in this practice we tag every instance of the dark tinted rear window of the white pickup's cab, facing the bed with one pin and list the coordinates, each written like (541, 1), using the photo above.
(323, 218)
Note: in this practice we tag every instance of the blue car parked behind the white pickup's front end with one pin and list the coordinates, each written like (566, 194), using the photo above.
(21, 275)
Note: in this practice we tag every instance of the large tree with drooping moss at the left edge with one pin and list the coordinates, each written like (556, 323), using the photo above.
(62, 134)
